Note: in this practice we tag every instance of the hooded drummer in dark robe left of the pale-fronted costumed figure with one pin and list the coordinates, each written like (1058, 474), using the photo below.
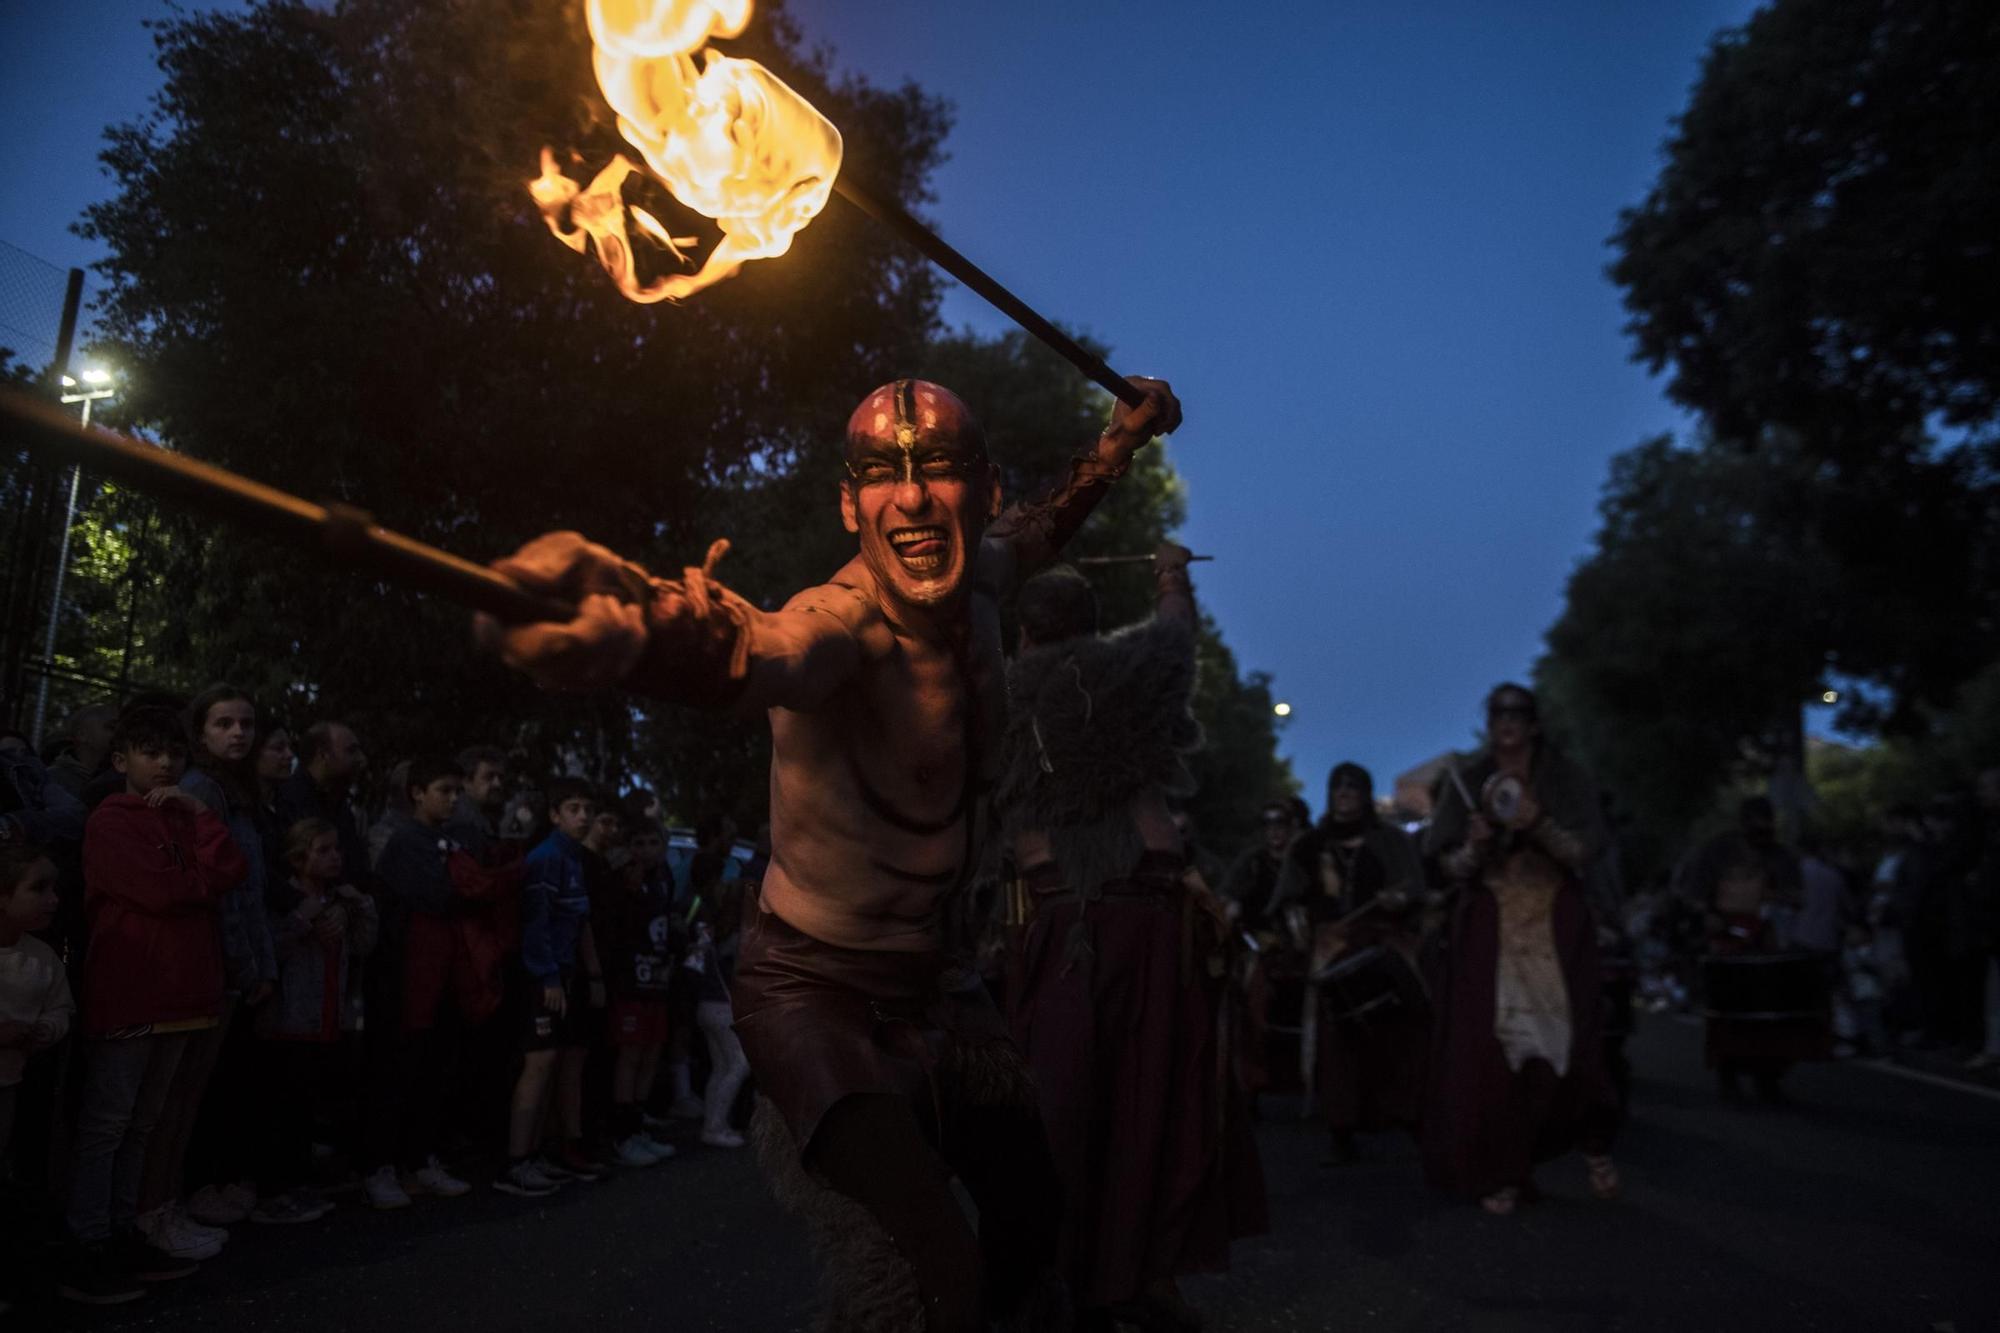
(1361, 888)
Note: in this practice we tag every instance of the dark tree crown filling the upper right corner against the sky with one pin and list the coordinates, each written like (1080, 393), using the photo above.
(1821, 251)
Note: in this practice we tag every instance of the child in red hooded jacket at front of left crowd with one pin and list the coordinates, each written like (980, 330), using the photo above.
(157, 866)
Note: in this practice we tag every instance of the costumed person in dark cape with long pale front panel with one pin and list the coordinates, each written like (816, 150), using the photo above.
(1519, 1062)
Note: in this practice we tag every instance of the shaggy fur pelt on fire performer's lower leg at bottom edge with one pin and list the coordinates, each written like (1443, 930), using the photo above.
(865, 1282)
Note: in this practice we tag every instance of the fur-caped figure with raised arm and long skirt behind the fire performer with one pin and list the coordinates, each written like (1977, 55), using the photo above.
(1123, 964)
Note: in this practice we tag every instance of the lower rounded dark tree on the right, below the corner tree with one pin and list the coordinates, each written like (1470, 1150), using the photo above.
(1725, 589)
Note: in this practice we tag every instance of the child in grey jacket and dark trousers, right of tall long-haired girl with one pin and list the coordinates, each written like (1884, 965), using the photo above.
(323, 930)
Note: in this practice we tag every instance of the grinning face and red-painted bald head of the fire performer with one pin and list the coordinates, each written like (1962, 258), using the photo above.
(919, 489)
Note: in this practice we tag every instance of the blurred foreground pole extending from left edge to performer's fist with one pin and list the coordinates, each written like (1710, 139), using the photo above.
(341, 531)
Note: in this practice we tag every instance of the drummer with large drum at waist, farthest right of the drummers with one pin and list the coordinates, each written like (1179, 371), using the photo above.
(1747, 882)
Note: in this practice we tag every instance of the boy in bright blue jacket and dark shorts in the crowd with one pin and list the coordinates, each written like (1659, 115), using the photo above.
(555, 940)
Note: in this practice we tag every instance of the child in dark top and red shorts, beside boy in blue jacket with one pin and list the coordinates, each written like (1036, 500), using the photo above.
(639, 944)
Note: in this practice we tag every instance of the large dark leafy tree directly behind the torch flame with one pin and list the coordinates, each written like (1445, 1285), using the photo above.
(325, 271)
